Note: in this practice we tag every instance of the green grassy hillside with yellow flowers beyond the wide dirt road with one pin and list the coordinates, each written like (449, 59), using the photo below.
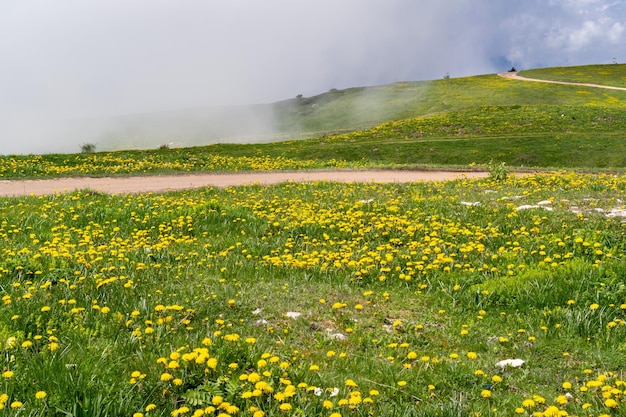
(446, 122)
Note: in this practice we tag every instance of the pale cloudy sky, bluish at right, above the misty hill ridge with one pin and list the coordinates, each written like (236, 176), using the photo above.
(74, 60)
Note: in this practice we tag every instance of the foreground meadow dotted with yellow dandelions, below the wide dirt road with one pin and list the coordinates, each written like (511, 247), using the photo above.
(470, 297)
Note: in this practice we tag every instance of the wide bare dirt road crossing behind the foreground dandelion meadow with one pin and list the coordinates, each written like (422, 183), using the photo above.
(161, 183)
